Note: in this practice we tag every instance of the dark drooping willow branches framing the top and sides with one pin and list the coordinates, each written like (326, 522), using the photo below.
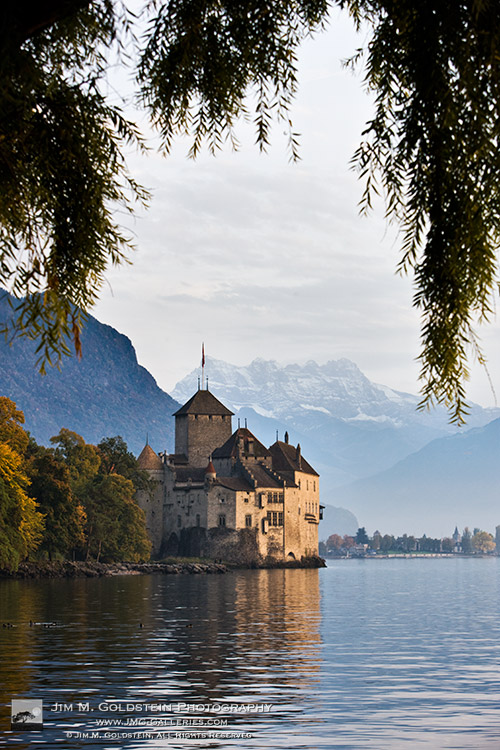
(431, 144)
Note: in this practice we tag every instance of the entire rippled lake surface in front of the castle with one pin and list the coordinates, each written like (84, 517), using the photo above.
(378, 654)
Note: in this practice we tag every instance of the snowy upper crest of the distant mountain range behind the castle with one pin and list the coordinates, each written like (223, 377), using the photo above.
(336, 389)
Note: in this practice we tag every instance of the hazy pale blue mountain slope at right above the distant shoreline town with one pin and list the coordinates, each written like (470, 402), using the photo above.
(451, 481)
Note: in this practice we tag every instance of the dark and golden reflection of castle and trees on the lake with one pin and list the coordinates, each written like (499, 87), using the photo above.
(247, 637)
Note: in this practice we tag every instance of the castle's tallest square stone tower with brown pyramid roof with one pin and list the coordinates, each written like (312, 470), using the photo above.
(201, 426)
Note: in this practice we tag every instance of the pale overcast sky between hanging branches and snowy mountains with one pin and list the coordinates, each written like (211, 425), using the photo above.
(259, 257)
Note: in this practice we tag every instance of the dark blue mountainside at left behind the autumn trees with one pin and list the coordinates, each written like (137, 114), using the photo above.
(104, 394)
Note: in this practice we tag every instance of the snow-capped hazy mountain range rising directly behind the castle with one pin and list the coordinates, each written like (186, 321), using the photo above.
(349, 426)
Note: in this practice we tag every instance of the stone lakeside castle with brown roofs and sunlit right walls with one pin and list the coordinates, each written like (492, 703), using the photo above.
(221, 485)
